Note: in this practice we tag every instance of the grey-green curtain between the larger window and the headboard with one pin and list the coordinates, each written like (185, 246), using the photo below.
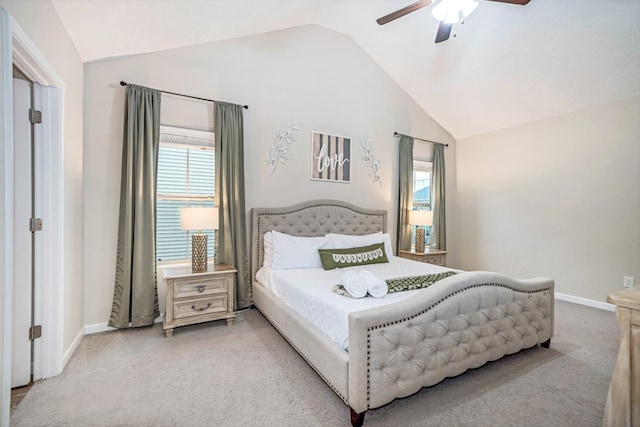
(232, 234)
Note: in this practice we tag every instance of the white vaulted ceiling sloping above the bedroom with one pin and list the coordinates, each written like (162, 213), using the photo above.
(508, 64)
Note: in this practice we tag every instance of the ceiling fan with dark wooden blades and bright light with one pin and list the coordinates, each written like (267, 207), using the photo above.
(448, 12)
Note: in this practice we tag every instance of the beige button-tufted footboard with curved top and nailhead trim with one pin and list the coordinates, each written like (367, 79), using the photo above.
(459, 323)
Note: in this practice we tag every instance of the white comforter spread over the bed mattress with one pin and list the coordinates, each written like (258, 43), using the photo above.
(308, 291)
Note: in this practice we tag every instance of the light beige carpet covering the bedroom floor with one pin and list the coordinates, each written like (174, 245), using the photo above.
(247, 375)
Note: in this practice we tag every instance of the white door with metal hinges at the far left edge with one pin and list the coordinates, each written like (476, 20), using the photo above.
(22, 246)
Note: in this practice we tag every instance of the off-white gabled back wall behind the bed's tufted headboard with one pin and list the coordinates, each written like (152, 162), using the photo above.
(319, 79)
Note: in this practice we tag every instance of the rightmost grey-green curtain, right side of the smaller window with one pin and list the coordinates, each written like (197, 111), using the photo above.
(438, 238)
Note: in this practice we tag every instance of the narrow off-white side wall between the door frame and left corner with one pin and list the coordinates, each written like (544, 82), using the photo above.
(42, 26)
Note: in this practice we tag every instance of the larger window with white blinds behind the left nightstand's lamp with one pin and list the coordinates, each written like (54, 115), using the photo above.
(186, 177)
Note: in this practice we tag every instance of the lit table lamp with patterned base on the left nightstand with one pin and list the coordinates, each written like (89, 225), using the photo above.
(199, 218)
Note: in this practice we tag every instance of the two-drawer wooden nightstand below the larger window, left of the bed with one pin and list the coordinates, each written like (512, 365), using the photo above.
(198, 297)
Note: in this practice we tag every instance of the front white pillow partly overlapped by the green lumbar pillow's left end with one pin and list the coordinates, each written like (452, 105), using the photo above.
(296, 252)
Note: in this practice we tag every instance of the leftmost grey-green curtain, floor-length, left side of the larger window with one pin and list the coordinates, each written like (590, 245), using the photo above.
(135, 294)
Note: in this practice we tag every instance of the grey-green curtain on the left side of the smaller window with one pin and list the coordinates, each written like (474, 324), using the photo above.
(405, 200)
